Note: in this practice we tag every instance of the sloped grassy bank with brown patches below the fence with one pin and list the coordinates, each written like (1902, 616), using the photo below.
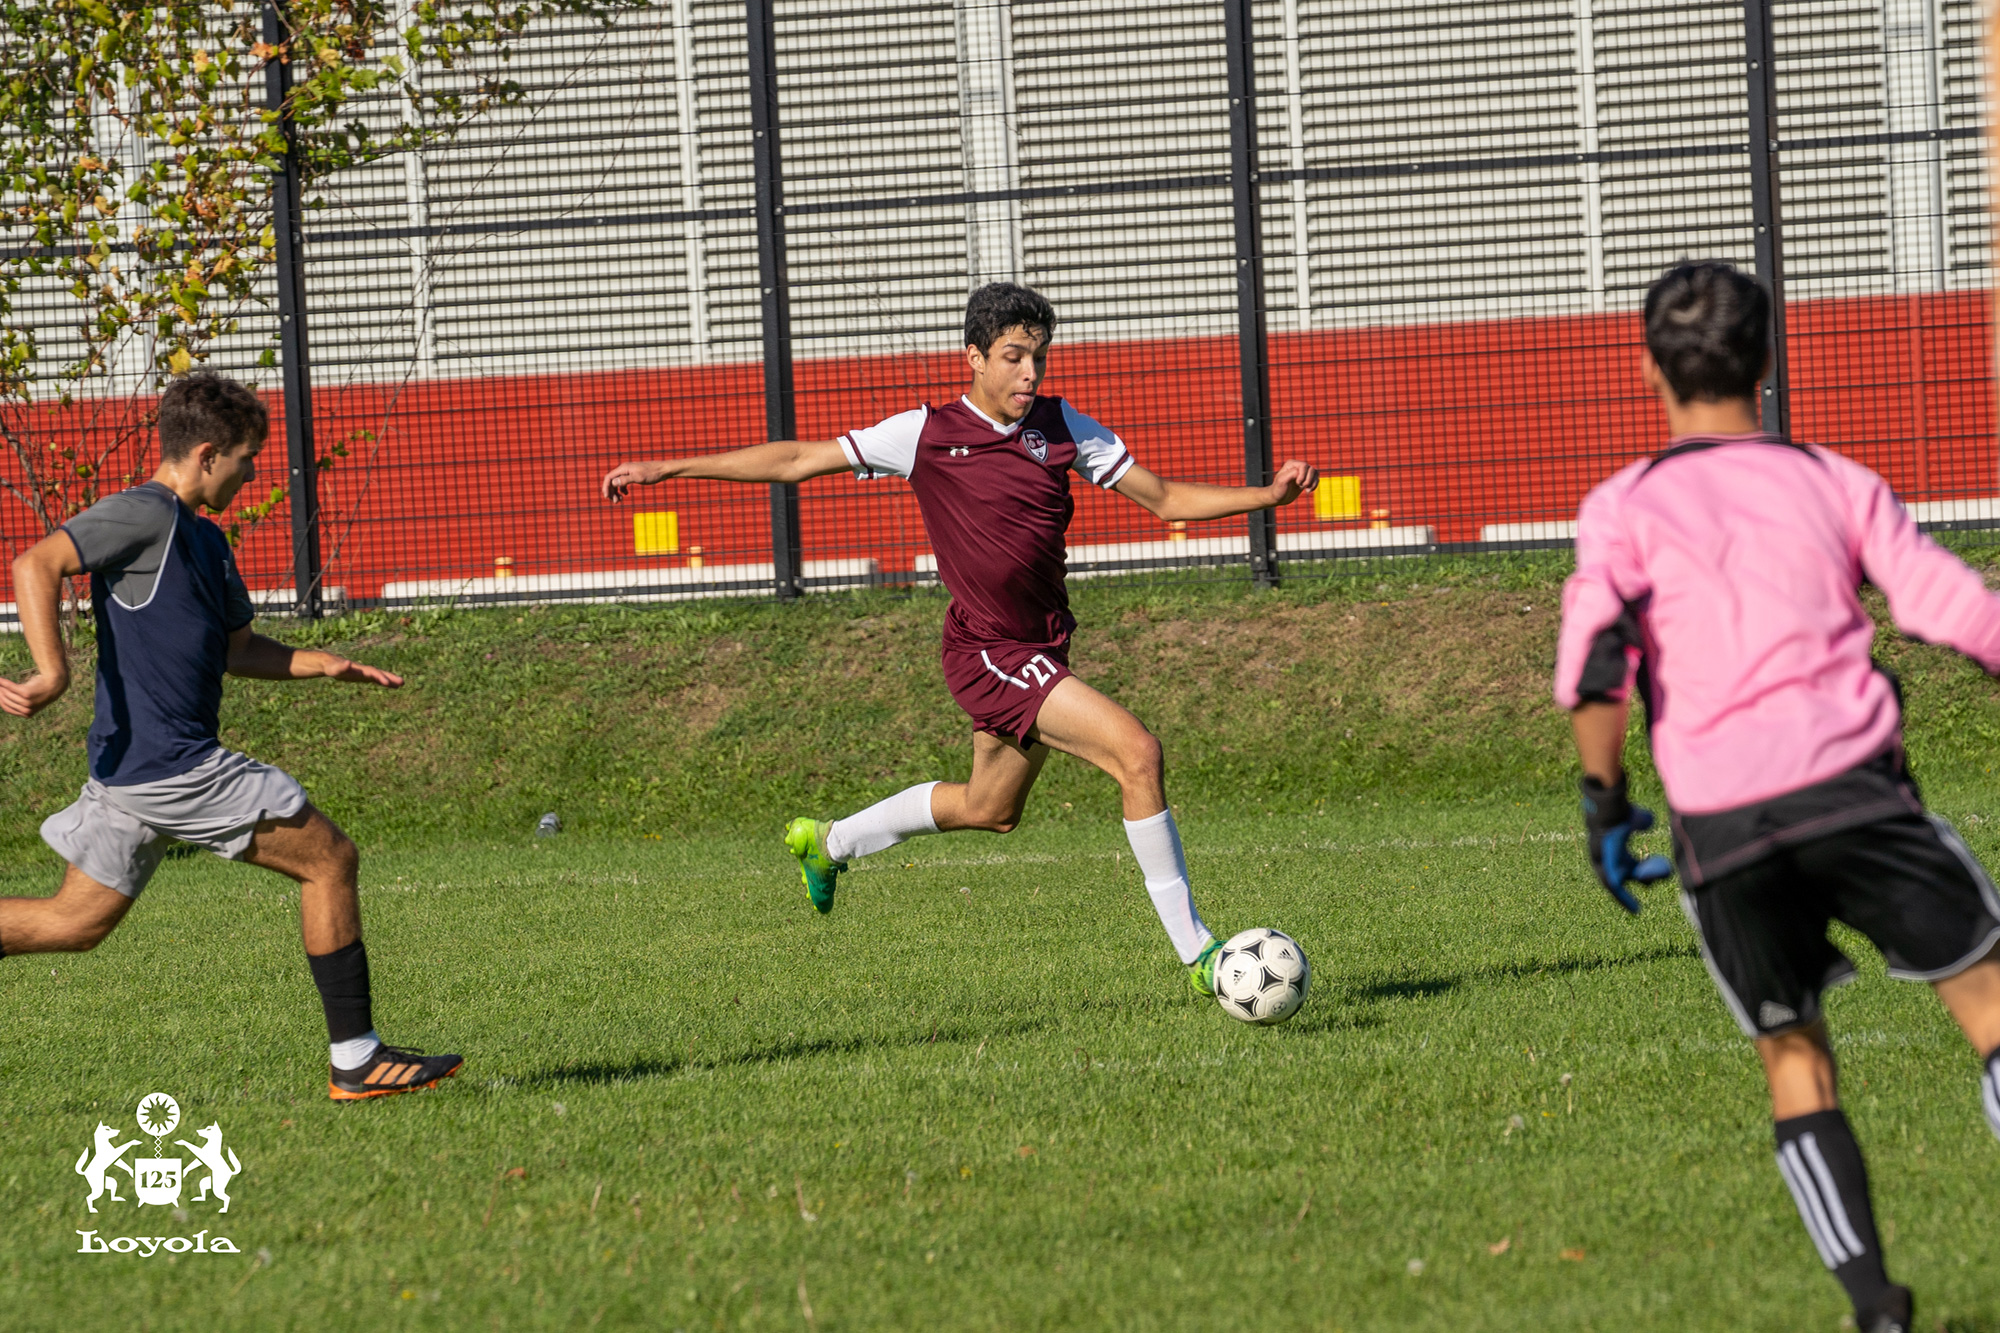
(661, 720)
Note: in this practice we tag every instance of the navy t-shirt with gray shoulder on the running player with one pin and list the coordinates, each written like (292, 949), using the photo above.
(167, 599)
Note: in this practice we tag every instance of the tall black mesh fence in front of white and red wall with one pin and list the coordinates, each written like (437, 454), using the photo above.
(1405, 243)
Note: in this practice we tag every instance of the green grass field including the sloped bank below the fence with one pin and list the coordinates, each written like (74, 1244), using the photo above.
(979, 1096)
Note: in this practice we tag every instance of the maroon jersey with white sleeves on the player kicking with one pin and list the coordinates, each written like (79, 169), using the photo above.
(997, 505)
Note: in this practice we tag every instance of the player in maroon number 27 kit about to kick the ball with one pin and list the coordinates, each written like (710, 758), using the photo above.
(993, 481)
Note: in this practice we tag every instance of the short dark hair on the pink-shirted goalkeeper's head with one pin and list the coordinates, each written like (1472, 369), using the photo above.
(1709, 329)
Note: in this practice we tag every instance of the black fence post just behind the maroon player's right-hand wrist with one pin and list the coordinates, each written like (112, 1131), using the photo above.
(1253, 347)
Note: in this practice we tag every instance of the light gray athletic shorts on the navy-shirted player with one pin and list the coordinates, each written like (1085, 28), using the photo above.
(119, 836)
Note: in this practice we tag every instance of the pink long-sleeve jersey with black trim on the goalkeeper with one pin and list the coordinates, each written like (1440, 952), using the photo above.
(1729, 571)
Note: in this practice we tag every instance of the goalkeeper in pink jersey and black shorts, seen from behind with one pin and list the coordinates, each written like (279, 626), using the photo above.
(1721, 581)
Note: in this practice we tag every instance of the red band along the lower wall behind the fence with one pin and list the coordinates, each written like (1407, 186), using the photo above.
(1447, 425)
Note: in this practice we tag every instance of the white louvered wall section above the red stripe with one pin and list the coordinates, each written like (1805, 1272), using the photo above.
(919, 99)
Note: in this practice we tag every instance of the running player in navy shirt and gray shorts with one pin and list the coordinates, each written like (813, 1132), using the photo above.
(173, 619)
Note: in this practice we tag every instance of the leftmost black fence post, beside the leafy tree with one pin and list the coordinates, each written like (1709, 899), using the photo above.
(303, 481)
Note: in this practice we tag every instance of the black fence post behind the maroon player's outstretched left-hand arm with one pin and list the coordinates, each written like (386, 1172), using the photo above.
(779, 421)
